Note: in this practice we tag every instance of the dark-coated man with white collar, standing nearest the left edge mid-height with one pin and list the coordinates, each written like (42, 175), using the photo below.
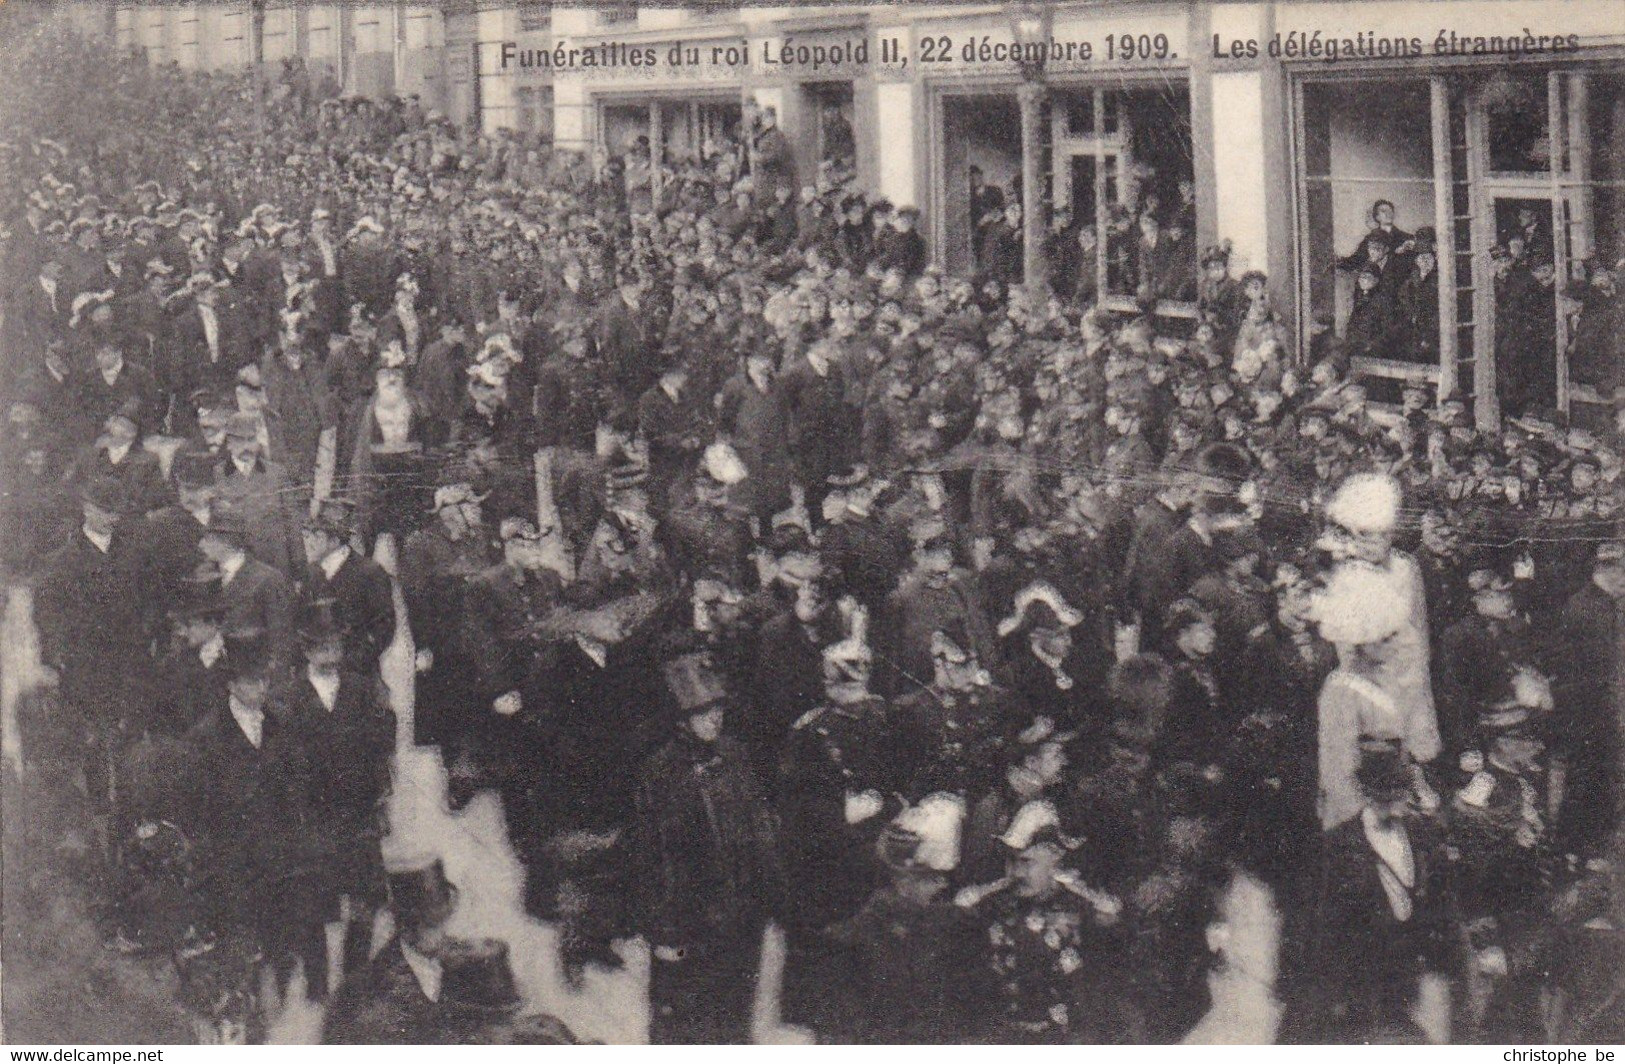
(93, 625)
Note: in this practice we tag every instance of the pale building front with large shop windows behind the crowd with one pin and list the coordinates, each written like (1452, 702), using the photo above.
(1272, 126)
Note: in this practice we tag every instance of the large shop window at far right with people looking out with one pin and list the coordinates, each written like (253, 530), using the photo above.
(1458, 228)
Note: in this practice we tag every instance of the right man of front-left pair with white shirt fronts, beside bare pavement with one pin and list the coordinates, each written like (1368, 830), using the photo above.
(349, 733)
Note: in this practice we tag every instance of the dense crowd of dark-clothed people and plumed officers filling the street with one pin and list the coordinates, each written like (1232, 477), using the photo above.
(979, 639)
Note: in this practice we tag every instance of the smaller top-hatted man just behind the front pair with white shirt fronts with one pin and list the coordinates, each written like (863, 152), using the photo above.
(363, 599)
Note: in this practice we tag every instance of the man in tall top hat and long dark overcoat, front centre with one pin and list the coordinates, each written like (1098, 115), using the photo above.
(704, 862)
